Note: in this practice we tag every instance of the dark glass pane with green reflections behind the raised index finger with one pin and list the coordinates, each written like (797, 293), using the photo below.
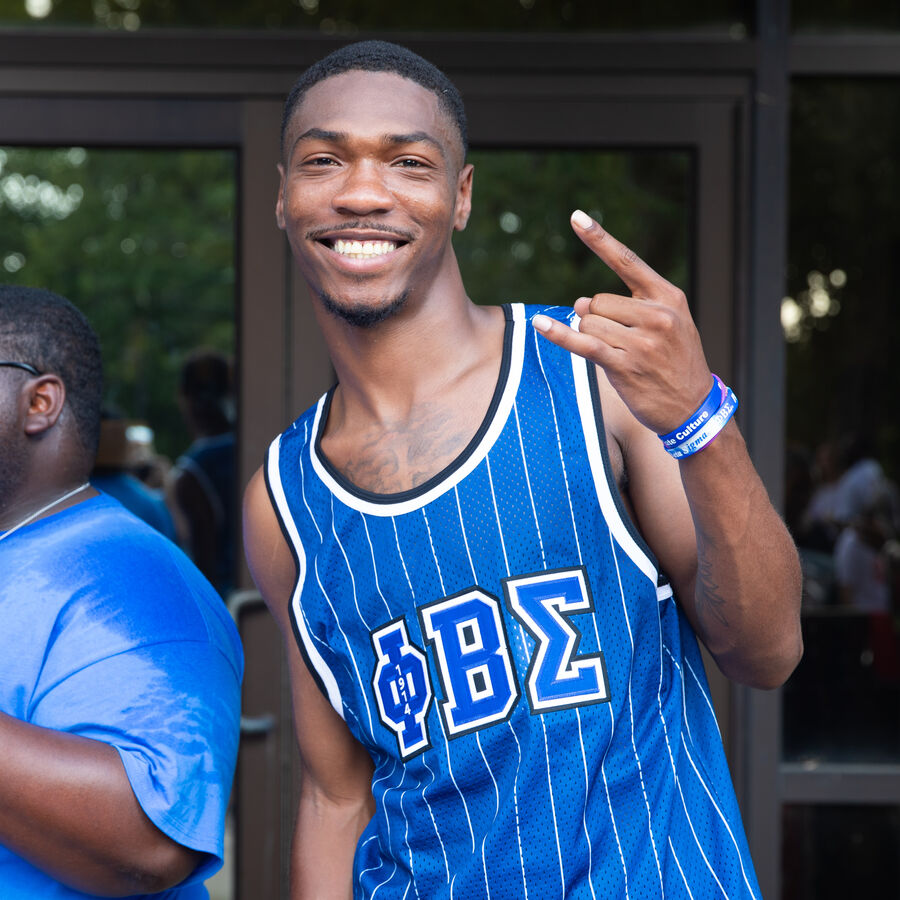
(519, 246)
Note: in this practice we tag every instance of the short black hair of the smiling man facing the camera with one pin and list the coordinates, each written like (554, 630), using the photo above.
(381, 56)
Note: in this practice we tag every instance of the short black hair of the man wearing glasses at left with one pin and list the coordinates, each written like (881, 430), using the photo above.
(46, 331)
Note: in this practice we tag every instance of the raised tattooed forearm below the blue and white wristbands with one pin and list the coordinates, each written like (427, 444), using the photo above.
(746, 591)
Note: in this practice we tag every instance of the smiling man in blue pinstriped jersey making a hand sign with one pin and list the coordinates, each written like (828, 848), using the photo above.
(491, 545)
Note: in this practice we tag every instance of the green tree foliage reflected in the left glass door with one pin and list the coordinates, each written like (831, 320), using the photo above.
(143, 243)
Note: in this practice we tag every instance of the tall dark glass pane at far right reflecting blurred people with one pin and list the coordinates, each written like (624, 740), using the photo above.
(842, 501)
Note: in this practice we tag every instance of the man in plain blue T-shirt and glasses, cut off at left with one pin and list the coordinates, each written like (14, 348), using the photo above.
(120, 669)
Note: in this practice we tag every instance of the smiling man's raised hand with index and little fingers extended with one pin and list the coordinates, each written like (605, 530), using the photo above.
(647, 343)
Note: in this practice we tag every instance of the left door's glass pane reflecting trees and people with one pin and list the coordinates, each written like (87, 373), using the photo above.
(143, 243)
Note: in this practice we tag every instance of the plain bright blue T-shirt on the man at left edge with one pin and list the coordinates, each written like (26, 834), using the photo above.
(108, 631)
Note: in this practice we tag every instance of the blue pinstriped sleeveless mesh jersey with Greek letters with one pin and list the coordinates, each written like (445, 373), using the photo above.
(502, 642)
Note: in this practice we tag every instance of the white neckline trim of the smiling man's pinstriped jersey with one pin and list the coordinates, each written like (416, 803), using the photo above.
(495, 427)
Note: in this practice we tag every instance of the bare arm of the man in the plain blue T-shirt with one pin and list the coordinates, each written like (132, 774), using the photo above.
(67, 807)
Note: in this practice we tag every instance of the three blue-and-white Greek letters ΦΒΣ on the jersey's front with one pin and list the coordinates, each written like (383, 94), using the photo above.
(474, 663)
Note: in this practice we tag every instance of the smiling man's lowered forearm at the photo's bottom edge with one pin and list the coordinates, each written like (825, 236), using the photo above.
(325, 841)
